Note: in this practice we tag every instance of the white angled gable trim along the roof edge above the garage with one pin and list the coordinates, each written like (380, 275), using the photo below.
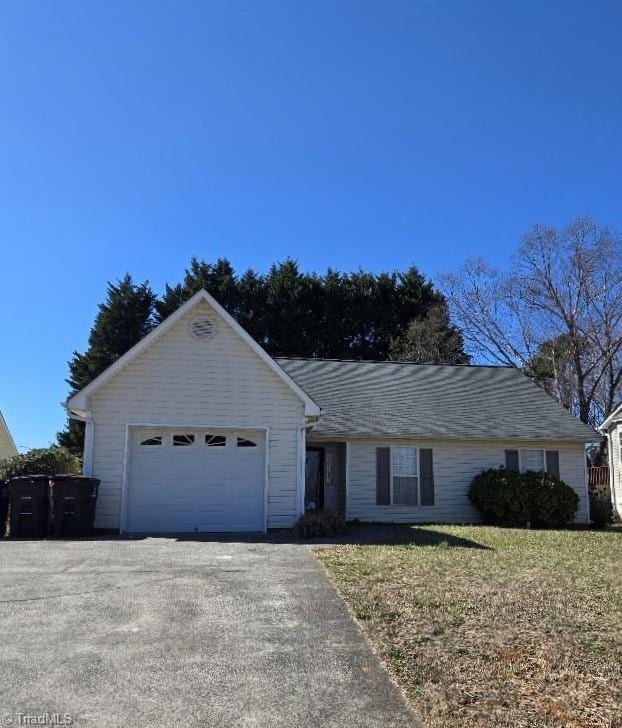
(79, 401)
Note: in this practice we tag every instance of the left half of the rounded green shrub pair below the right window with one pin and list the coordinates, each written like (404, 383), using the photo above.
(501, 497)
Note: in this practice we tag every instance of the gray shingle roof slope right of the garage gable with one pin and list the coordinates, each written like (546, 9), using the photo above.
(431, 400)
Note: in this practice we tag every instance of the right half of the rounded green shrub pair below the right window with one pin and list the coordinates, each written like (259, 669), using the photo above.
(551, 502)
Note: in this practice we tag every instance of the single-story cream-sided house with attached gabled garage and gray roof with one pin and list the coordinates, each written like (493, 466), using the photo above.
(197, 429)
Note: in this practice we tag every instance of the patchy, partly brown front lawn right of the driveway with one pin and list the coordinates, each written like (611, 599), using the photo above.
(488, 626)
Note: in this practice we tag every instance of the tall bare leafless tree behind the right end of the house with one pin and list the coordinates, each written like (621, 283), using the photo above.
(557, 313)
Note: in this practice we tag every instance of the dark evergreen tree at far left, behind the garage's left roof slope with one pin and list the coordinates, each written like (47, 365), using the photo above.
(123, 319)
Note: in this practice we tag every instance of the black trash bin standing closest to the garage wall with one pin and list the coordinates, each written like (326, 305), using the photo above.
(73, 499)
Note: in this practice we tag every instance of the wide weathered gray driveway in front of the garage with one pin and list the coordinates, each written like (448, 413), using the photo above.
(190, 633)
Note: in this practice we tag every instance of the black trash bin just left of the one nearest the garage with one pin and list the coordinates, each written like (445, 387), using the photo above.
(28, 506)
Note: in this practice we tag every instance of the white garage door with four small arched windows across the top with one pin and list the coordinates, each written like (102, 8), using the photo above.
(191, 479)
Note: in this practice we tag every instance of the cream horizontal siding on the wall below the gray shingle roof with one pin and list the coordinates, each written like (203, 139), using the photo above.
(456, 463)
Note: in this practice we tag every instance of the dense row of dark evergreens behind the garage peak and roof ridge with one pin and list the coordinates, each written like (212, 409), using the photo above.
(359, 315)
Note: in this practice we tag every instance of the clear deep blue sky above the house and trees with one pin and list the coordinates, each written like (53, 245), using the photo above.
(376, 134)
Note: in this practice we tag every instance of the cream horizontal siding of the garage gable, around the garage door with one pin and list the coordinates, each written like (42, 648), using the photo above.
(180, 380)
